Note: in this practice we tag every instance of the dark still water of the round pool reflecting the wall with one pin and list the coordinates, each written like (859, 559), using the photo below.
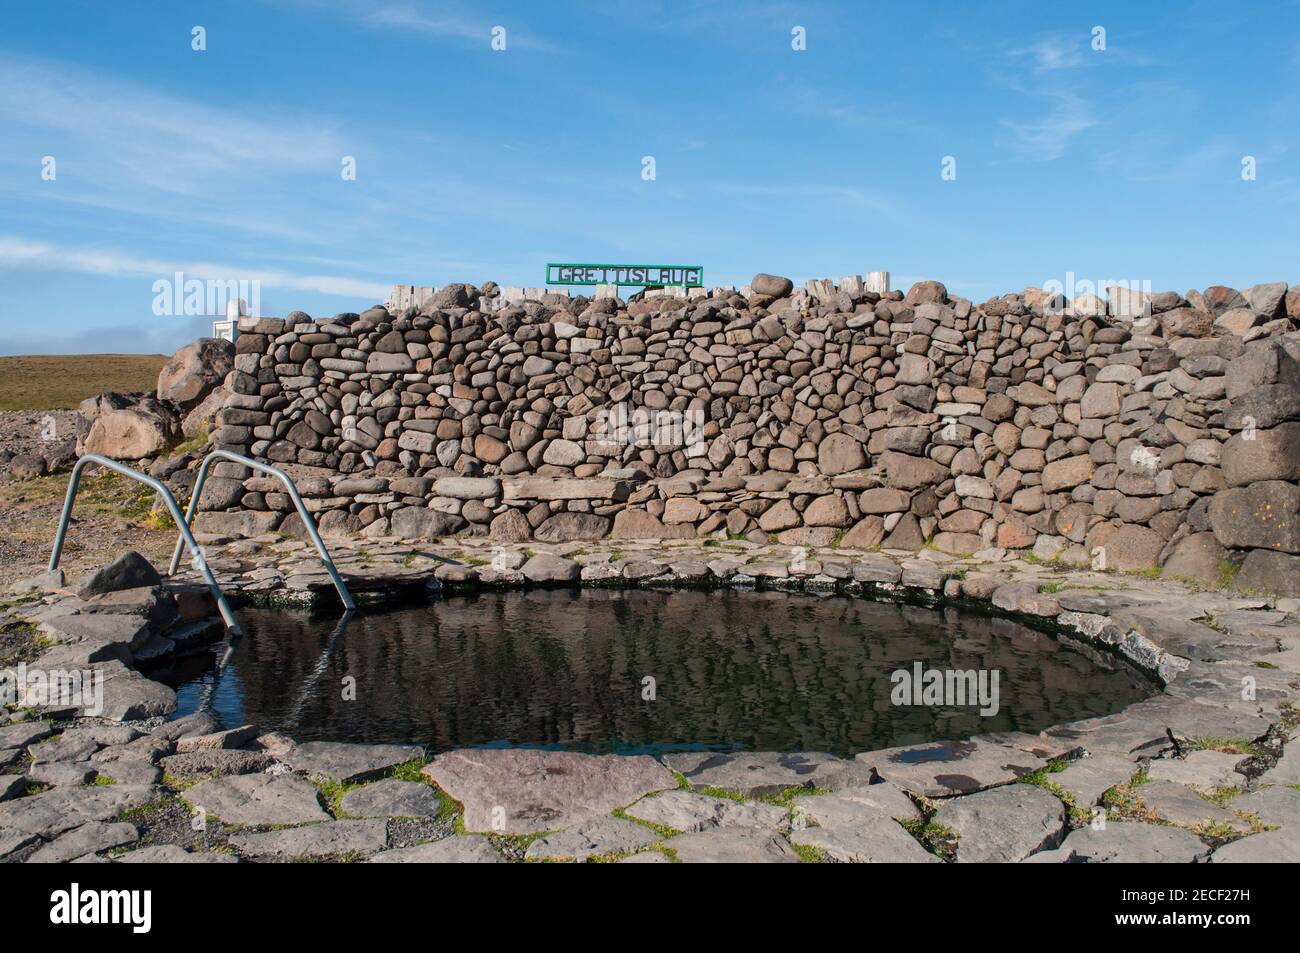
(747, 672)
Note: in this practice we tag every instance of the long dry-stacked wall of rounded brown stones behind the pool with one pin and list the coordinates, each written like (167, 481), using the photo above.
(1156, 430)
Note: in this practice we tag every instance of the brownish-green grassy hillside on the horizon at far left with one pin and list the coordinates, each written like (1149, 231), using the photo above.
(45, 383)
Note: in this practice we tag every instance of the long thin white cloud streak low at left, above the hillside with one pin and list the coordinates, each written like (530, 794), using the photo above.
(21, 253)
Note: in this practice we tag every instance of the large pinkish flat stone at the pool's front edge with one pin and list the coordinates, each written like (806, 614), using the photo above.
(531, 791)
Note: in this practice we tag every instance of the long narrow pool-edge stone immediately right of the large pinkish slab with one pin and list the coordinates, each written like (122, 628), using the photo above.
(766, 773)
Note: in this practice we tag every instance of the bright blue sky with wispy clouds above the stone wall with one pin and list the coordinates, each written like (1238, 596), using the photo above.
(475, 164)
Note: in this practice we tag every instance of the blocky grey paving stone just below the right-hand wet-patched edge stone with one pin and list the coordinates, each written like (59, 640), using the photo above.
(1004, 825)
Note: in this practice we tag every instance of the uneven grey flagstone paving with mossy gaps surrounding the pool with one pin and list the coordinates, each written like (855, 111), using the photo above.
(1204, 770)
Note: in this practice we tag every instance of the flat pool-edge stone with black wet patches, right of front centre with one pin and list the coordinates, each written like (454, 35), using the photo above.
(944, 769)
